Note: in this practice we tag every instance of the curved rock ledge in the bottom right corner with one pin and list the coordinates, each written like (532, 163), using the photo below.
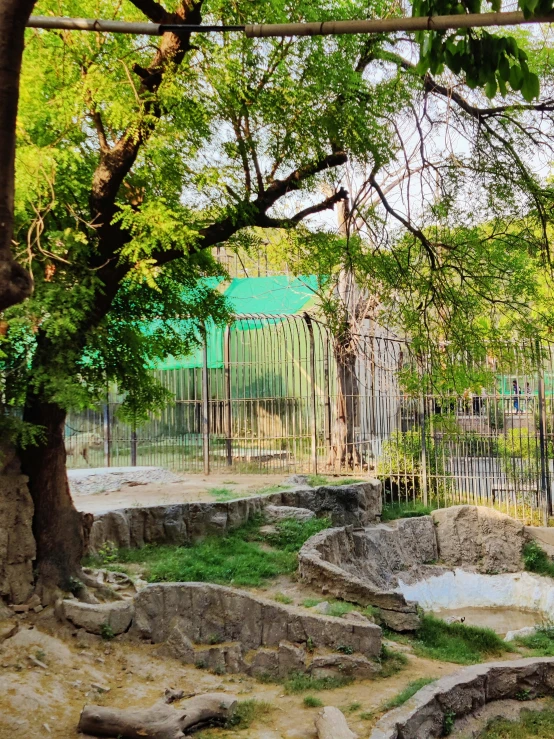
(433, 708)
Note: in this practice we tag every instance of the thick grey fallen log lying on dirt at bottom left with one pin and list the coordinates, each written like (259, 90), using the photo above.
(161, 721)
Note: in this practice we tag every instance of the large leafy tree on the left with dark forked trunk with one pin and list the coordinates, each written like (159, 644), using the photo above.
(135, 160)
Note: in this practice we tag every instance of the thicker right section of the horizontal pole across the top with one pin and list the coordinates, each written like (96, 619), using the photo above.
(388, 25)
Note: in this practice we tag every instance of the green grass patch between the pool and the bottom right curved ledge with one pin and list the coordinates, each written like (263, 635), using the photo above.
(464, 645)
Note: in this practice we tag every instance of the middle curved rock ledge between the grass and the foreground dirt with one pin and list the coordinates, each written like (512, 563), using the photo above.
(230, 630)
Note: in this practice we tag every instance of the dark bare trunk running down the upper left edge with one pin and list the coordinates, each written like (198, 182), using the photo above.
(15, 282)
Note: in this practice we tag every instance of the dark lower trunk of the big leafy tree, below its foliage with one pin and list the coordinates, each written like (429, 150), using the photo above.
(57, 526)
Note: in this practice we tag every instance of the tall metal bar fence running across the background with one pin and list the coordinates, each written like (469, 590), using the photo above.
(275, 394)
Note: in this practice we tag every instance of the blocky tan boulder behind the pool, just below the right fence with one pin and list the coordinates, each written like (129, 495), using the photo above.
(479, 537)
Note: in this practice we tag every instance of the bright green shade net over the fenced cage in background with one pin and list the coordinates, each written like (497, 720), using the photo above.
(270, 296)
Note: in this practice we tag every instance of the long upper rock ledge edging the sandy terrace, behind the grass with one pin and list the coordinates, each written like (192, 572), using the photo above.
(358, 504)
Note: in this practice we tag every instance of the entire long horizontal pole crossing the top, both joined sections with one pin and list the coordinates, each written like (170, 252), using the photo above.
(383, 25)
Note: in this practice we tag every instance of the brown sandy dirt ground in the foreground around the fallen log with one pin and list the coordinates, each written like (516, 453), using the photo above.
(39, 702)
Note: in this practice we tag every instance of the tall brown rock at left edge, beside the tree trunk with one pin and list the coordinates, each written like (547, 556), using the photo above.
(17, 545)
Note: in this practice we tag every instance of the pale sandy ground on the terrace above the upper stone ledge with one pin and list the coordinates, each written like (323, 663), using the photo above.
(188, 488)
